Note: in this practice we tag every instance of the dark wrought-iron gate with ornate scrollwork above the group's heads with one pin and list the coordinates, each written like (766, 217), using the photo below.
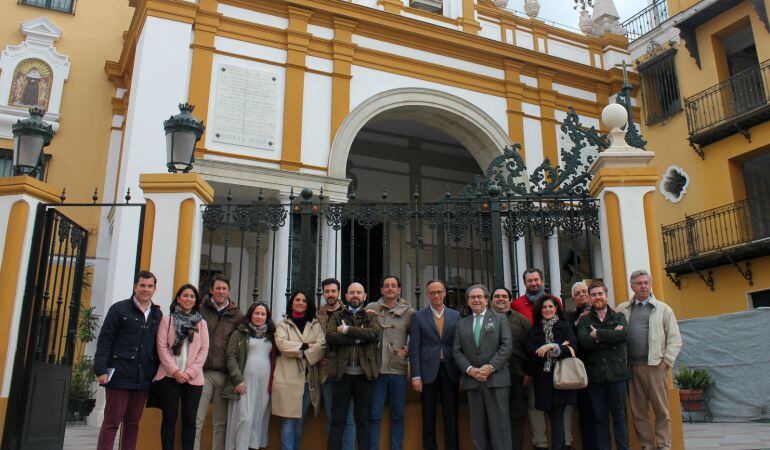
(474, 236)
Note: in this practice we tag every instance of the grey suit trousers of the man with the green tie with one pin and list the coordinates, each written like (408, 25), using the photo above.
(489, 417)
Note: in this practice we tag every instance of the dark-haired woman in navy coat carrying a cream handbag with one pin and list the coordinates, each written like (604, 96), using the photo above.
(549, 340)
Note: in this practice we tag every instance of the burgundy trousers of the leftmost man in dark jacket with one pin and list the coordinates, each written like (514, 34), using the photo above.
(122, 406)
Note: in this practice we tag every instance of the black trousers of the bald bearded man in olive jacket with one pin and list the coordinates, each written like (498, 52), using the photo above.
(360, 390)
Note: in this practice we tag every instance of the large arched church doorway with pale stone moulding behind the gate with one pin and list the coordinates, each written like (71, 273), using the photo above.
(413, 149)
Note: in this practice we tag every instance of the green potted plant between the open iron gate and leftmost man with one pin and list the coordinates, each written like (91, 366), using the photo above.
(81, 398)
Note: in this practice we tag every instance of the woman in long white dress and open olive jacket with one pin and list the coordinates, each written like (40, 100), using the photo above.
(250, 363)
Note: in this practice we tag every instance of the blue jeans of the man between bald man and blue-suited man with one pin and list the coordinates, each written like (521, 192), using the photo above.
(395, 385)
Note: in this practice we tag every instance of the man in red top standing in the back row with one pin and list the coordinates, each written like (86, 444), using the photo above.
(533, 282)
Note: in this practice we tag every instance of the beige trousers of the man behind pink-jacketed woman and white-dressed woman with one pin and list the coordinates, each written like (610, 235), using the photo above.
(213, 383)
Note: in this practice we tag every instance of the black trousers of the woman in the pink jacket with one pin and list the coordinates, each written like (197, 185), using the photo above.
(170, 393)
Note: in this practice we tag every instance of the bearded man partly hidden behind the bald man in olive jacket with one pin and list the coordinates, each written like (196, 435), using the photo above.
(331, 292)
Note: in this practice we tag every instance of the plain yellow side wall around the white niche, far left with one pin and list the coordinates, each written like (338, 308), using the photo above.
(90, 37)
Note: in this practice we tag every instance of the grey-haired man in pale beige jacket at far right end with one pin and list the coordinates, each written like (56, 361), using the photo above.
(653, 345)
